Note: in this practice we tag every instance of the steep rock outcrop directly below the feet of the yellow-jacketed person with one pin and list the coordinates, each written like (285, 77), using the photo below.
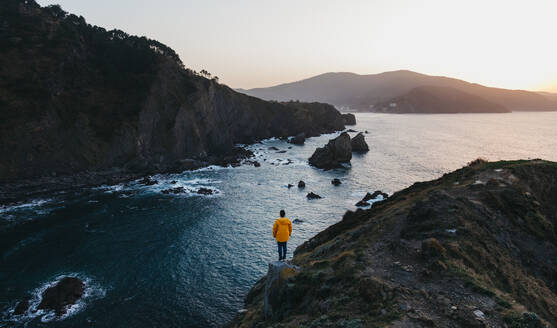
(276, 285)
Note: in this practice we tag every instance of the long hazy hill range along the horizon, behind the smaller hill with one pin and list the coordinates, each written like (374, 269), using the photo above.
(361, 92)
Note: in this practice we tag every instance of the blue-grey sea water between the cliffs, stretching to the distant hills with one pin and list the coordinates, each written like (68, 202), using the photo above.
(150, 259)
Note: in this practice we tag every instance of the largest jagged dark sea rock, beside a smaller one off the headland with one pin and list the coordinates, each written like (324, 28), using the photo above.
(337, 151)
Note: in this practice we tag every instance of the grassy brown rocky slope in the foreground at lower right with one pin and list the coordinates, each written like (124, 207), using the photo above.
(475, 248)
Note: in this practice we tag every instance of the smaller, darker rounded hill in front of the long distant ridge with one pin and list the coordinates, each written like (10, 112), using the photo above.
(431, 99)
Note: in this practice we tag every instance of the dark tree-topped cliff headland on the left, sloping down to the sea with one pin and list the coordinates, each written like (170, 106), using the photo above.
(75, 98)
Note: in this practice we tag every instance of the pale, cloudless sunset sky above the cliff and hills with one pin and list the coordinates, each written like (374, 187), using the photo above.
(259, 43)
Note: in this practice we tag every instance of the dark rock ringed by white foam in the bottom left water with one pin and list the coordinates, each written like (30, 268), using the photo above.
(58, 297)
